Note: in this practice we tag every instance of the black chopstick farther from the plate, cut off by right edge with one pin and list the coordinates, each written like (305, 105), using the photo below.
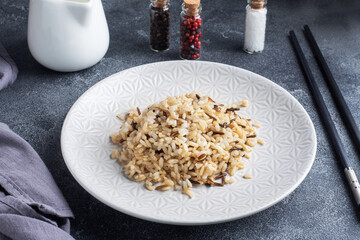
(334, 89)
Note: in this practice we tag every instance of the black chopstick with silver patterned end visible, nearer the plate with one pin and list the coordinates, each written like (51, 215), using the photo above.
(326, 118)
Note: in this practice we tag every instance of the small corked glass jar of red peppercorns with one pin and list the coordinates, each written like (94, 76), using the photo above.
(190, 29)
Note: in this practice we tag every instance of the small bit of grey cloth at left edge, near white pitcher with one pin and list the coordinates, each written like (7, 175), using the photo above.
(8, 69)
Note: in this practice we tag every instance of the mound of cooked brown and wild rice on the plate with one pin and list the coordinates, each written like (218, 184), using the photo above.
(184, 140)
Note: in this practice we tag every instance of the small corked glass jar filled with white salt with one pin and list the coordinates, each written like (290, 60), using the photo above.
(255, 24)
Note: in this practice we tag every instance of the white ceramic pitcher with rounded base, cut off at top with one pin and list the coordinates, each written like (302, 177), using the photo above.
(67, 35)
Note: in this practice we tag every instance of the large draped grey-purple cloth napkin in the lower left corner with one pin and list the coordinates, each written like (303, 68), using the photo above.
(31, 204)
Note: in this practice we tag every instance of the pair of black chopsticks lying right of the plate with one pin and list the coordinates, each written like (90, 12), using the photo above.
(324, 113)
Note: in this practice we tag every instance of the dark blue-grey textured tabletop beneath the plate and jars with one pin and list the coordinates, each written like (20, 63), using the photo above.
(320, 208)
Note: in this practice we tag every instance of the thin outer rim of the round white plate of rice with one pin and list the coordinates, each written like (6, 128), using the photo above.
(182, 222)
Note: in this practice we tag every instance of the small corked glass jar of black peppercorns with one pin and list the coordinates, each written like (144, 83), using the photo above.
(159, 25)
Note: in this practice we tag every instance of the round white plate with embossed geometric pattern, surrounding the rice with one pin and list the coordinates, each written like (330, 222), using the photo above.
(277, 168)
